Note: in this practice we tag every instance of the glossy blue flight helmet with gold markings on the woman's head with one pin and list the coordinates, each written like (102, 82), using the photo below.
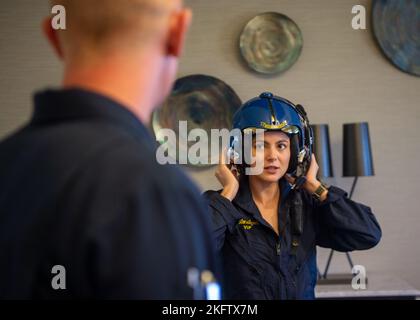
(270, 113)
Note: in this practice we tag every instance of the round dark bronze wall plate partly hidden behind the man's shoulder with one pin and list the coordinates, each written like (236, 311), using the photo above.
(204, 102)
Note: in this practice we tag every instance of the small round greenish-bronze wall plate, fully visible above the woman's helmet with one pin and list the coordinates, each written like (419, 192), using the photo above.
(271, 43)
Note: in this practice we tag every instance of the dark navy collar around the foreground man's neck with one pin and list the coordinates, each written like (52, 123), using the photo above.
(54, 106)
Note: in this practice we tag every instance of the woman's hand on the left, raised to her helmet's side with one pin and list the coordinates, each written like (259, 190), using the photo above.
(228, 177)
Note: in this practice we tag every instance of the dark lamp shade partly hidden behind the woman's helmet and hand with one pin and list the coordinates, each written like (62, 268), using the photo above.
(322, 150)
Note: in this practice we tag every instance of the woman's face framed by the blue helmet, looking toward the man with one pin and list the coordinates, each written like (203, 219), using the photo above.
(274, 150)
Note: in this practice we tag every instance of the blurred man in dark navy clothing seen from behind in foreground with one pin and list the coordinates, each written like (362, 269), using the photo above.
(81, 194)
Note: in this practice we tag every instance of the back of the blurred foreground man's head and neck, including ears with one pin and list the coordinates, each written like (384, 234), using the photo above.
(125, 49)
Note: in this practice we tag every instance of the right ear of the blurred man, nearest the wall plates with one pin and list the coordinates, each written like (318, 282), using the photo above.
(178, 31)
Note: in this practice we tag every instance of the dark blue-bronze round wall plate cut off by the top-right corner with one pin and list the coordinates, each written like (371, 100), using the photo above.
(396, 25)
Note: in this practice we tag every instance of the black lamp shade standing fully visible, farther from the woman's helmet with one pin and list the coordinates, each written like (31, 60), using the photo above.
(357, 154)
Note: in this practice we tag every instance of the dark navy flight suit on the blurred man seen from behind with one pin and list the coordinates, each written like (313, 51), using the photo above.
(80, 187)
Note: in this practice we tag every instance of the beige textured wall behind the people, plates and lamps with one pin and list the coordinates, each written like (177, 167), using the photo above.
(340, 77)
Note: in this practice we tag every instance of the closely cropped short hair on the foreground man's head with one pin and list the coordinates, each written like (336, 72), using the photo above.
(96, 22)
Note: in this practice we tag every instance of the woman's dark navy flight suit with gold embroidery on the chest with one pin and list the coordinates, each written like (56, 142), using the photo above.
(259, 264)
